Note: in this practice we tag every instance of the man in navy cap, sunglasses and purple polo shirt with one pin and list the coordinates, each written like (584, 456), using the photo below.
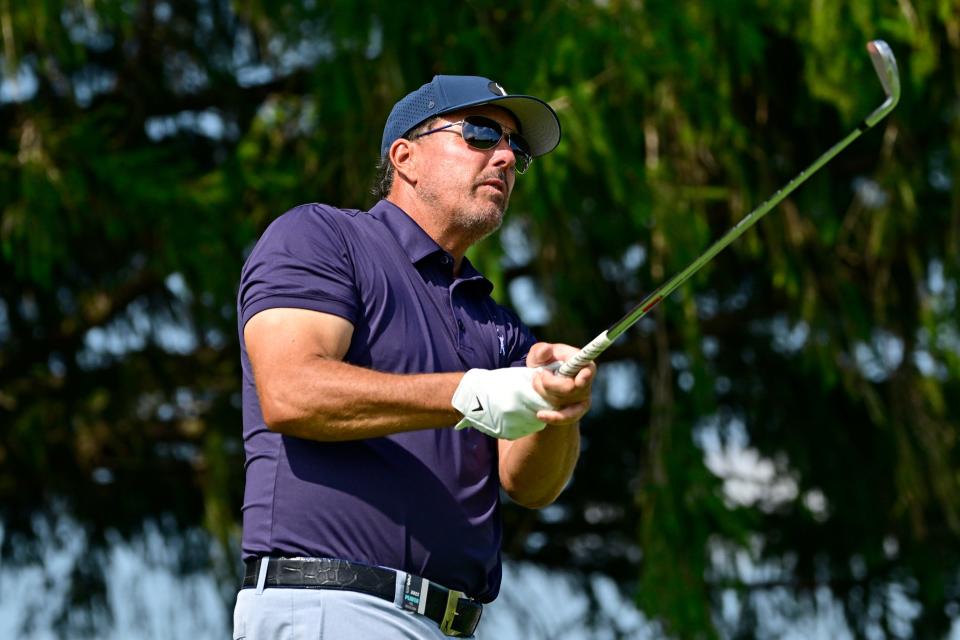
(386, 397)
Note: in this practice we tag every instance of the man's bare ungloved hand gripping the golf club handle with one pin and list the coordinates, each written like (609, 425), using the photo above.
(569, 397)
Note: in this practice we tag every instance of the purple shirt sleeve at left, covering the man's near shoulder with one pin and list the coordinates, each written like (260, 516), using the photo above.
(301, 261)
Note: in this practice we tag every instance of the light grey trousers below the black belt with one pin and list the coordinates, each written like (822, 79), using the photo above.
(325, 614)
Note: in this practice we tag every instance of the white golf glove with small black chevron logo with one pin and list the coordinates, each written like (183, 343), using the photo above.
(500, 402)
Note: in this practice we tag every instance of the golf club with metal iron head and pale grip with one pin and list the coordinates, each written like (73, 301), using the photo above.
(886, 67)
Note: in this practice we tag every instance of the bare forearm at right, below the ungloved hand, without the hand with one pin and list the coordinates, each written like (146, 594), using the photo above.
(535, 469)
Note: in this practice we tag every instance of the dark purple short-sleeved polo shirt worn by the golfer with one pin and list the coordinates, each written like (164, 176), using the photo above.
(426, 502)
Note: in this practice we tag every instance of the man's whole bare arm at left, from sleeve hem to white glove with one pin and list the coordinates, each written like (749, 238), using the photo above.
(305, 389)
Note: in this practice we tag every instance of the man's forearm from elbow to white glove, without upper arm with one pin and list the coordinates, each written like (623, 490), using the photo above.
(331, 400)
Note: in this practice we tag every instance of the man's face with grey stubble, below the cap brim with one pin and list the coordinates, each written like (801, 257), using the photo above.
(470, 187)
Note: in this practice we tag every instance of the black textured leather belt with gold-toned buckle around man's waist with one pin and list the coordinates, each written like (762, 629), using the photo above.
(456, 614)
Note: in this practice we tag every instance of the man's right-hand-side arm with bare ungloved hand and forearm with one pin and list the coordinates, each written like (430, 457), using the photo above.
(535, 469)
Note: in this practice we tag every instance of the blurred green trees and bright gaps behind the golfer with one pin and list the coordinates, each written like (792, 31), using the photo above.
(772, 453)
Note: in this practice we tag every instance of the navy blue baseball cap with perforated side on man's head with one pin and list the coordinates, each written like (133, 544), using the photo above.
(539, 124)
